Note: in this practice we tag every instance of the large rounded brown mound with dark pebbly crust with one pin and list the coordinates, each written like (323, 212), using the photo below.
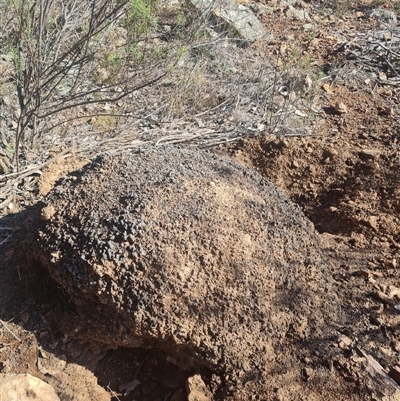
(154, 255)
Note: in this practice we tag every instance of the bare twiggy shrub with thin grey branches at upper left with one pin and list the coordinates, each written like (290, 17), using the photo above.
(68, 55)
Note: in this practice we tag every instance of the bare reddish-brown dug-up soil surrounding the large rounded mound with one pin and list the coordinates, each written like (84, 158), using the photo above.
(345, 176)
